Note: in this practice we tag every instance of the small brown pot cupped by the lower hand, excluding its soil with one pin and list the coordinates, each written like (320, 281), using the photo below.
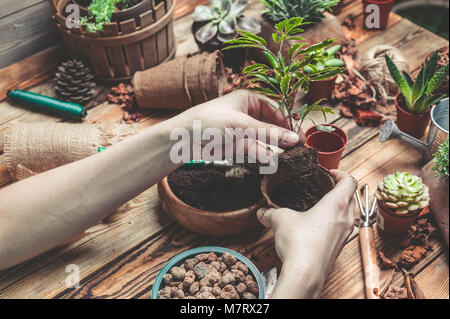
(271, 182)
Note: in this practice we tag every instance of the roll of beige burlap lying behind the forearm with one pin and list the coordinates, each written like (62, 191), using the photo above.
(33, 148)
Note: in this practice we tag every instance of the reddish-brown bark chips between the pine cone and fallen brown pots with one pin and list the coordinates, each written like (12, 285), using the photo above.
(123, 94)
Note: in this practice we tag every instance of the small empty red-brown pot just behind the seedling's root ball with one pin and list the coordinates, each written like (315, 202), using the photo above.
(329, 146)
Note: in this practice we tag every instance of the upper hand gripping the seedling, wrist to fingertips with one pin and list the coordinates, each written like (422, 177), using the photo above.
(244, 110)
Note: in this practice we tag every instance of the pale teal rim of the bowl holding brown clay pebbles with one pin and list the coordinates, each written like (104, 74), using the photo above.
(180, 258)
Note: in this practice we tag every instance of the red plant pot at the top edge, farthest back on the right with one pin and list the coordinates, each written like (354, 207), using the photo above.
(384, 9)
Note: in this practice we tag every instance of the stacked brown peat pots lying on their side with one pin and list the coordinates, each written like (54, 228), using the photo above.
(181, 83)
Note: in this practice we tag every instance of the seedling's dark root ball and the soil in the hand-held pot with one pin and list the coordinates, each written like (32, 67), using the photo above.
(300, 190)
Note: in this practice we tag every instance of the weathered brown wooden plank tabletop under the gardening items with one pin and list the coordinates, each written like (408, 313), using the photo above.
(121, 256)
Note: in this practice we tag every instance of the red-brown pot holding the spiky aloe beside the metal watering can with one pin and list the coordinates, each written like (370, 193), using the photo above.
(411, 123)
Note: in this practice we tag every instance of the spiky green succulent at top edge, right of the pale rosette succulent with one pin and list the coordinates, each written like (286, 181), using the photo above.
(310, 10)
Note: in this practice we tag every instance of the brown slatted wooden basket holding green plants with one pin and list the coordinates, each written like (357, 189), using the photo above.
(124, 46)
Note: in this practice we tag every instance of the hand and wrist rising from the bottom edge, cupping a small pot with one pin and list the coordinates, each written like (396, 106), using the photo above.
(308, 243)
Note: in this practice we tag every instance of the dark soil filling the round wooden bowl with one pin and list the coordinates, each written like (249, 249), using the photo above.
(218, 189)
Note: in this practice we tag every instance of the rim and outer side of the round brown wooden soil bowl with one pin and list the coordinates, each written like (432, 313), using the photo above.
(203, 221)
